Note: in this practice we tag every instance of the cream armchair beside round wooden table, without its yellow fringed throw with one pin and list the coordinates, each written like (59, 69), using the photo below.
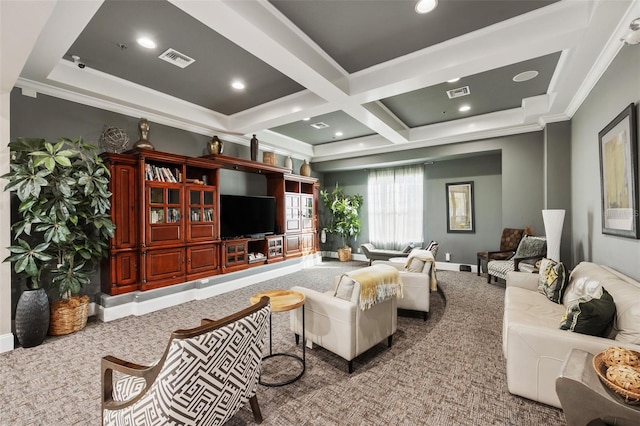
(338, 324)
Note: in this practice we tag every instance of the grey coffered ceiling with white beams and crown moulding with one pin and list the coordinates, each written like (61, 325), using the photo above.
(373, 70)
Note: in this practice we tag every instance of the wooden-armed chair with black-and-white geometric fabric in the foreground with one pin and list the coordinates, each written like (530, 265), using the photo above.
(204, 377)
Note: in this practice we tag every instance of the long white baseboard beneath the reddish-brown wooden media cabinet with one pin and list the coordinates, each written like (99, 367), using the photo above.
(200, 289)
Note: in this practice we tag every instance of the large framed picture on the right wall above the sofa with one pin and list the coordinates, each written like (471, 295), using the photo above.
(618, 147)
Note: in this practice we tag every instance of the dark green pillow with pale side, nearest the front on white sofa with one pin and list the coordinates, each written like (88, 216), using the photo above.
(593, 316)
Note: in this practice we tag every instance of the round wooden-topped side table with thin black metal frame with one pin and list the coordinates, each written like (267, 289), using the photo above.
(282, 301)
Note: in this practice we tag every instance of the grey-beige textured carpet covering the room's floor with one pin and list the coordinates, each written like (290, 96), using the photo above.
(448, 370)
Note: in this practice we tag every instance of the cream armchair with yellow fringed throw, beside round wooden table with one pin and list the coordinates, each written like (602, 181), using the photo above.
(357, 314)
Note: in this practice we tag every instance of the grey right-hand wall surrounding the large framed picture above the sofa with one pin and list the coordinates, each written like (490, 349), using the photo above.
(617, 88)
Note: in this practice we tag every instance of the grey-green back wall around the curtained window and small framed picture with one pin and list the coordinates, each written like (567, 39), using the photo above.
(508, 181)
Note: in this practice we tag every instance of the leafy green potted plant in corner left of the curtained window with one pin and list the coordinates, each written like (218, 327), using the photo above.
(345, 217)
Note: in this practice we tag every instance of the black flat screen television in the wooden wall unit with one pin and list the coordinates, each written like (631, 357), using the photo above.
(247, 216)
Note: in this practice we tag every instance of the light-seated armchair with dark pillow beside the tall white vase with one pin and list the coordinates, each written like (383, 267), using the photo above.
(530, 250)
